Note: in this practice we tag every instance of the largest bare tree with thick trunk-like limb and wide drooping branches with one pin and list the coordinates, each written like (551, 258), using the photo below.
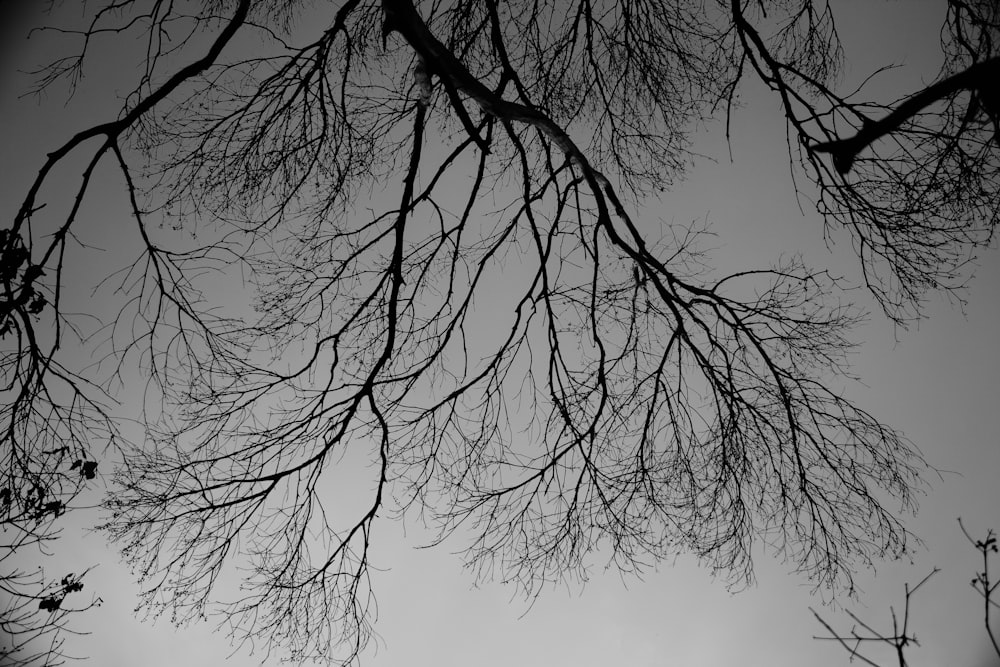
(375, 170)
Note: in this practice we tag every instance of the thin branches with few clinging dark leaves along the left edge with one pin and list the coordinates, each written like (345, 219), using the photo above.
(49, 420)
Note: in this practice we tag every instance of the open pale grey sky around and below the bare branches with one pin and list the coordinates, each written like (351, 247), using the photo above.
(937, 384)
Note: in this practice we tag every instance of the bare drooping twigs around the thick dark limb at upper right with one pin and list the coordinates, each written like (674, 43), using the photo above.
(915, 180)
